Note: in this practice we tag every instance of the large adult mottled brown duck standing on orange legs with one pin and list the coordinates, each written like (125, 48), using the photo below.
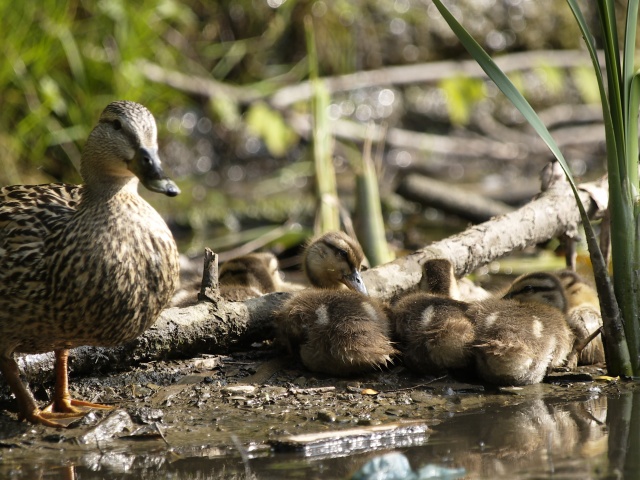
(90, 264)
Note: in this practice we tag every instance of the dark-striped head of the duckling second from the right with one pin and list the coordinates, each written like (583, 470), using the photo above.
(539, 287)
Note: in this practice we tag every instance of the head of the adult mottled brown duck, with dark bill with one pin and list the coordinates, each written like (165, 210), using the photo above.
(123, 149)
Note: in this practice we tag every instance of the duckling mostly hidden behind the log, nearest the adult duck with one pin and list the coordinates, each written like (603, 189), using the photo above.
(249, 276)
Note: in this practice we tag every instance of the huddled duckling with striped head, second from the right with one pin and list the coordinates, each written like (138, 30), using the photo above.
(522, 335)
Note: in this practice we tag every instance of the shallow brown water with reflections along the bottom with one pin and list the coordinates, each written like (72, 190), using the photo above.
(538, 438)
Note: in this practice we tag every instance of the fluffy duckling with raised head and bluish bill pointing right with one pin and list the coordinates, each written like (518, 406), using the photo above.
(338, 332)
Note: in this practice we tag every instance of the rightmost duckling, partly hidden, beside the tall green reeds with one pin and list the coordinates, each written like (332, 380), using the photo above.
(583, 317)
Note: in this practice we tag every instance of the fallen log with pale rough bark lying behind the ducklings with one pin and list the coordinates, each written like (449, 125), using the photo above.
(220, 327)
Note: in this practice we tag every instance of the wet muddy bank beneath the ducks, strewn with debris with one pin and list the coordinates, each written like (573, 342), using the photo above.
(242, 406)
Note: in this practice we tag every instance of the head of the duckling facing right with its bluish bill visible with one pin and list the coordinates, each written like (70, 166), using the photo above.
(333, 260)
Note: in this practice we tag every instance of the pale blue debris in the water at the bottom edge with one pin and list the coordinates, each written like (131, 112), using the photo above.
(395, 466)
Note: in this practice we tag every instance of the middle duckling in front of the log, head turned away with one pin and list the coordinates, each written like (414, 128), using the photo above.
(433, 329)
